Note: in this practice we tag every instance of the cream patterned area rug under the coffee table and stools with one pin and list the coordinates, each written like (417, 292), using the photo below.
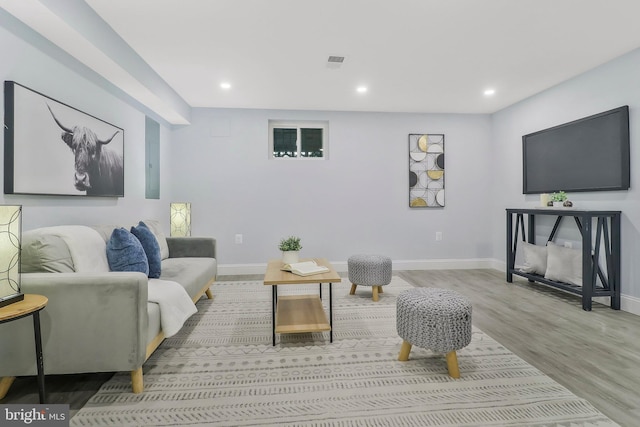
(222, 370)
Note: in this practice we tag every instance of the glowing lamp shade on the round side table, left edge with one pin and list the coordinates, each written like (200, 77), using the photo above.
(10, 237)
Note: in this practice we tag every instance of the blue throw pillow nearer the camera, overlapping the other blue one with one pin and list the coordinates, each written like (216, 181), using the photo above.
(125, 252)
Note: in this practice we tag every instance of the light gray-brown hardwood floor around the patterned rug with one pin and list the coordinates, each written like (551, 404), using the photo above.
(594, 354)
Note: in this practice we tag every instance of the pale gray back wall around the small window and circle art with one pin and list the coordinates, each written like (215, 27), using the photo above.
(356, 201)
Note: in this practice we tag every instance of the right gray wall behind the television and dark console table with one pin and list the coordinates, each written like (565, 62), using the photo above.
(608, 86)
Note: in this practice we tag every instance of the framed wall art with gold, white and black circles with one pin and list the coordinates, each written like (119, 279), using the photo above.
(426, 170)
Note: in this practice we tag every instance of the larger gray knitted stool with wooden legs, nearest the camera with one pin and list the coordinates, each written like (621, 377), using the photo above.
(437, 319)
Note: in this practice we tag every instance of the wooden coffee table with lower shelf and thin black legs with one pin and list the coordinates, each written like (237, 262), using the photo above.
(294, 314)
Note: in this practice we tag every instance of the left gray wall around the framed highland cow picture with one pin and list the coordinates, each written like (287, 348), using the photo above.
(43, 69)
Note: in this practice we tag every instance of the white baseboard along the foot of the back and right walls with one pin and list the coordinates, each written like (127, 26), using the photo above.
(627, 303)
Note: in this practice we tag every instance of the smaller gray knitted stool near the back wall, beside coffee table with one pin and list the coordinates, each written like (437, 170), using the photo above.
(369, 270)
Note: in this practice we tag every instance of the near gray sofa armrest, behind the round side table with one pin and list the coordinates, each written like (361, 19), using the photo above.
(93, 322)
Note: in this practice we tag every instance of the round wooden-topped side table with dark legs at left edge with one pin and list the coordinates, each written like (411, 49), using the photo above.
(29, 306)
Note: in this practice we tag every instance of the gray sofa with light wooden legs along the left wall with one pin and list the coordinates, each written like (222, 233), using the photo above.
(96, 321)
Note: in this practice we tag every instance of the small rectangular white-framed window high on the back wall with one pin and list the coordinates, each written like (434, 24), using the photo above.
(296, 140)
